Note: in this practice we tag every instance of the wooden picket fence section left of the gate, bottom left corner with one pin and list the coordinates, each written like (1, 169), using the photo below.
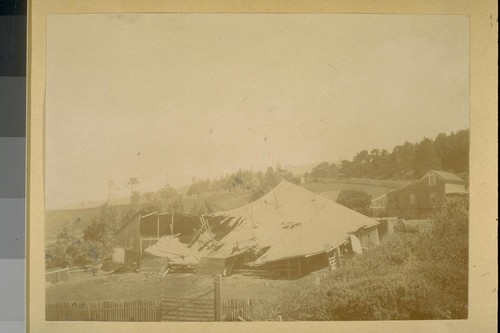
(135, 310)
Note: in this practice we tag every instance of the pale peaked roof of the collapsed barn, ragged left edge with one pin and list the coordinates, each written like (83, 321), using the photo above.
(287, 222)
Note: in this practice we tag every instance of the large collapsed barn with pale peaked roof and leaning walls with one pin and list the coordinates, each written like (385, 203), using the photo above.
(290, 231)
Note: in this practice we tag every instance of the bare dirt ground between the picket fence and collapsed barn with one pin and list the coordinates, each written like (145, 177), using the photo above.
(130, 286)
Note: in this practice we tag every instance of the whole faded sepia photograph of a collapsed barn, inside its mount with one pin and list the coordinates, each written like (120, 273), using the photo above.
(253, 167)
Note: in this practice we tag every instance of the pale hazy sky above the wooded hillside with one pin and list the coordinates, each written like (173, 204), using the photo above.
(168, 97)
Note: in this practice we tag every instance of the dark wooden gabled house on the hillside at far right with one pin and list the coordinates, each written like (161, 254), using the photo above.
(423, 197)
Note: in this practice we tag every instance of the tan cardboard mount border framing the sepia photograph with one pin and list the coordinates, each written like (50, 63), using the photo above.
(483, 270)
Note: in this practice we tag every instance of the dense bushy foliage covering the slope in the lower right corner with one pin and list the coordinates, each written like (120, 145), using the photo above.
(411, 276)
